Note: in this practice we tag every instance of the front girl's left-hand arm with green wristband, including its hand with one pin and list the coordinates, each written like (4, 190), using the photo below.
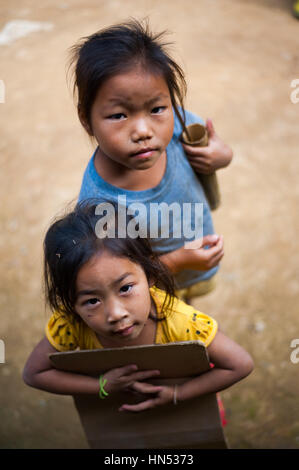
(40, 373)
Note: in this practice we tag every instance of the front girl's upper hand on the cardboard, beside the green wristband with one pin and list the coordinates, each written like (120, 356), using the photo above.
(123, 378)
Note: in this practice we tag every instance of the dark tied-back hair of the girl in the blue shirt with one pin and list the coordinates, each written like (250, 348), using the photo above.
(116, 49)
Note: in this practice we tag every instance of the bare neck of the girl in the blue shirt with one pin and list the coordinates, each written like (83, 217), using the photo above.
(130, 179)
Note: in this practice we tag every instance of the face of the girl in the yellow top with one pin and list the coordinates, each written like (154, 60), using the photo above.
(113, 299)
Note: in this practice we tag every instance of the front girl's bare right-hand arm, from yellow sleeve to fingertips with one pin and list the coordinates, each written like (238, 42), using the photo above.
(231, 364)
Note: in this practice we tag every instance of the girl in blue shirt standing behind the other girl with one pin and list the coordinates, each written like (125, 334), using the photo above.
(130, 99)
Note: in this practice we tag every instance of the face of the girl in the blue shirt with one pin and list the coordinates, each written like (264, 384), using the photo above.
(132, 118)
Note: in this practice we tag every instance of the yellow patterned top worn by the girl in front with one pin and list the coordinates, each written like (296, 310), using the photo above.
(181, 323)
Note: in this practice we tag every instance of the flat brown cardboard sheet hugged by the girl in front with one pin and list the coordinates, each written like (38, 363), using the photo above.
(190, 424)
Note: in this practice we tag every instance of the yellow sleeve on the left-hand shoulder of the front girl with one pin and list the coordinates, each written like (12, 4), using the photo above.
(61, 332)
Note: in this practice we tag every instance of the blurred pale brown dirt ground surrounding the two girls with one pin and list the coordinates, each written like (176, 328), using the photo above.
(240, 58)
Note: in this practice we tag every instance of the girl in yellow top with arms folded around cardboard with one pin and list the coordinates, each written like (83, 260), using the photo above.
(104, 294)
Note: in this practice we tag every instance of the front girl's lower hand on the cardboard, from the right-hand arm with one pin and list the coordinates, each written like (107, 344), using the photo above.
(163, 395)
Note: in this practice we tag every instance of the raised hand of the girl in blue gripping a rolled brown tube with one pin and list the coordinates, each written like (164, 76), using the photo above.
(208, 159)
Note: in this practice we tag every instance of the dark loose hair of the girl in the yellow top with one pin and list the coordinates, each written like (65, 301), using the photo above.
(71, 241)
